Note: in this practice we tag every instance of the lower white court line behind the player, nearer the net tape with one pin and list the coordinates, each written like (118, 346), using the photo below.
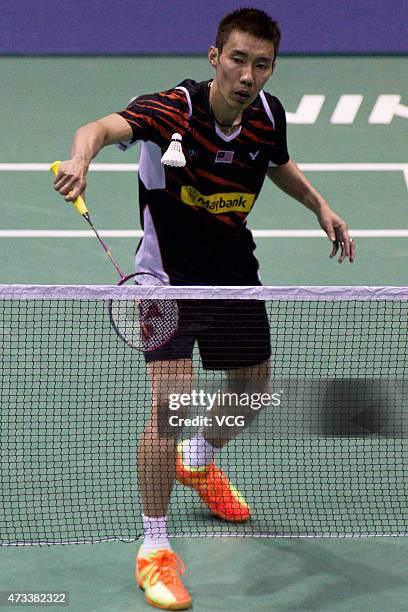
(366, 233)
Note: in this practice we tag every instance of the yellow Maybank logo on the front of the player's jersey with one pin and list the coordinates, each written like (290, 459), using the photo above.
(218, 202)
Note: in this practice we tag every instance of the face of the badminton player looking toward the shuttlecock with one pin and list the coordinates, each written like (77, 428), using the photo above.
(242, 68)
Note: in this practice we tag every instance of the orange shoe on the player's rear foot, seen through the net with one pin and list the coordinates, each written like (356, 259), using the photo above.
(215, 490)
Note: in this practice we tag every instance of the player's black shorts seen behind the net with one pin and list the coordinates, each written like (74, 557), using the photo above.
(230, 334)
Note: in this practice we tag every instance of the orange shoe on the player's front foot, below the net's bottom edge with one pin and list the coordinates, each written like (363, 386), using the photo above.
(156, 575)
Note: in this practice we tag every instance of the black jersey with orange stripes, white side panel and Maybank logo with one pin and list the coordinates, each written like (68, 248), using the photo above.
(194, 218)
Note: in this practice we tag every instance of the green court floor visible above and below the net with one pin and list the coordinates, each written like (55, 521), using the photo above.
(48, 98)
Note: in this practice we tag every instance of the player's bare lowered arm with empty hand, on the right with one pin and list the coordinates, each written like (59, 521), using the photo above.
(292, 181)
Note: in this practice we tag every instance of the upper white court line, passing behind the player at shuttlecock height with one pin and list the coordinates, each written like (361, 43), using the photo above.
(333, 167)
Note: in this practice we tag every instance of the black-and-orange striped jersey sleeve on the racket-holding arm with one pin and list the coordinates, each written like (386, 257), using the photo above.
(156, 117)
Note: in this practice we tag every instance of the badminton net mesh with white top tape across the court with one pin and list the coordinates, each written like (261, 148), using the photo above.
(325, 456)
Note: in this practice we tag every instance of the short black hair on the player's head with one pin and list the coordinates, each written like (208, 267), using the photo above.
(252, 21)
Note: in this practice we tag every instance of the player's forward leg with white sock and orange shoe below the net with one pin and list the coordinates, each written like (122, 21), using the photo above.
(157, 564)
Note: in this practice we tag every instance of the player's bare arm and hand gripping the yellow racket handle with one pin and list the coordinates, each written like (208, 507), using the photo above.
(87, 142)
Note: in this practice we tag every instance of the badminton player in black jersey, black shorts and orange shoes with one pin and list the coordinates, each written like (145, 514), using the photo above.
(195, 233)
